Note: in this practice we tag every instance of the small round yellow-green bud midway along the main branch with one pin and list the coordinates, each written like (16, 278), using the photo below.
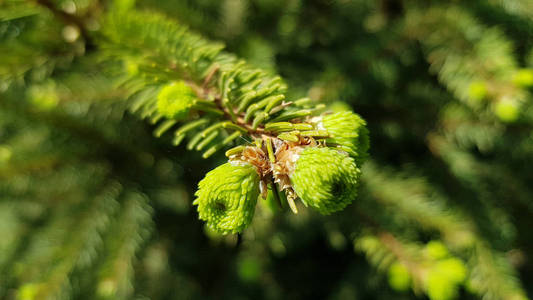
(175, 100)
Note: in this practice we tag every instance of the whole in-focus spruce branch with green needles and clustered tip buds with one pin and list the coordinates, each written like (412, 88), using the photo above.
(190, 86)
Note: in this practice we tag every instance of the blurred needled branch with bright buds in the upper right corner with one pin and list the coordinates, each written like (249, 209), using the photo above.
(472, 60)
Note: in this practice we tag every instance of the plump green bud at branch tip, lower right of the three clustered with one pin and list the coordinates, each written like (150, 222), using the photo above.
(325, 179)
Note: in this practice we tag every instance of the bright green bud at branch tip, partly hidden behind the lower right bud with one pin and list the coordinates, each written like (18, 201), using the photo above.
(348, 130)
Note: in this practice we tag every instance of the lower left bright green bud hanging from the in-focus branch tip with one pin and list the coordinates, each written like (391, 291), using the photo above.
(227, 196)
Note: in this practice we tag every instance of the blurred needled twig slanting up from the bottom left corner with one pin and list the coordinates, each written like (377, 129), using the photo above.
(78, 251)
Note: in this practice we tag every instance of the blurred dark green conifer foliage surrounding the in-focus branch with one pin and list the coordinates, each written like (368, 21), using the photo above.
(93, 206)
